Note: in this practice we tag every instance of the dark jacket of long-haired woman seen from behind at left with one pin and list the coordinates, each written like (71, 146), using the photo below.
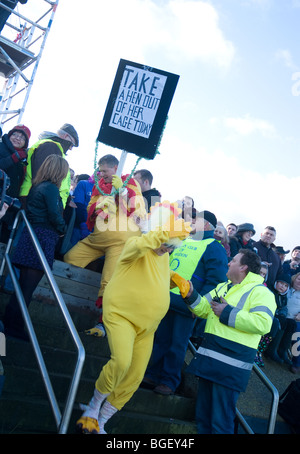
(44, 207)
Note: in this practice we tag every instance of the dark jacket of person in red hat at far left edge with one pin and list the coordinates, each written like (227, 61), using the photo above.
(15, 171)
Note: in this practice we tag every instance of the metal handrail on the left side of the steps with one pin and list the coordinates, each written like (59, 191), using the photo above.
(62, 420)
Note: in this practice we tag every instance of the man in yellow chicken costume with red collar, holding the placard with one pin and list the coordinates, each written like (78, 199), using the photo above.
(113, 212)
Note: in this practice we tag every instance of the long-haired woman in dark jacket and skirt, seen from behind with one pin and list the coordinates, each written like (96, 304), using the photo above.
(44, 211)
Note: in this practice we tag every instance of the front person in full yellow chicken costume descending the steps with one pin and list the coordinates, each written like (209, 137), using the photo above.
(135, 300)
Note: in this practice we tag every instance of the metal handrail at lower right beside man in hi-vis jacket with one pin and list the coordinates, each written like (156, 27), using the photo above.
(275, 399)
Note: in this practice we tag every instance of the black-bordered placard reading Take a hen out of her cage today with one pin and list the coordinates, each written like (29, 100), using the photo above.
(137, 108)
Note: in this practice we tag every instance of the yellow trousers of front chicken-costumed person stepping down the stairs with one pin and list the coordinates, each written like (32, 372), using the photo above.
(130, 349)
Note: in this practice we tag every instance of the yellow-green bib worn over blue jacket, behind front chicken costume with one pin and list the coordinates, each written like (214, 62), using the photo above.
(185, 259)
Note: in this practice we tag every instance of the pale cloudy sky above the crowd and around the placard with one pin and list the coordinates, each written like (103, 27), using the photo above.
(232, 139)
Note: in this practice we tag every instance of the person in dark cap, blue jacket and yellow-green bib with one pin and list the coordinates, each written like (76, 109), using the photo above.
(202, 260)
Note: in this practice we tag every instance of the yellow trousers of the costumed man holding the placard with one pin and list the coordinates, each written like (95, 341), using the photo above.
(108, 243)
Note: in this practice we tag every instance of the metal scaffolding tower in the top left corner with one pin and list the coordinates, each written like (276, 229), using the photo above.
(22, 41)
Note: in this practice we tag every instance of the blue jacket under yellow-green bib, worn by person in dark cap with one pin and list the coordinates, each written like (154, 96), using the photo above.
(210, 271)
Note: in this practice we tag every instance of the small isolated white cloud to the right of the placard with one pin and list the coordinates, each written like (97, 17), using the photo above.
(248, 125)
